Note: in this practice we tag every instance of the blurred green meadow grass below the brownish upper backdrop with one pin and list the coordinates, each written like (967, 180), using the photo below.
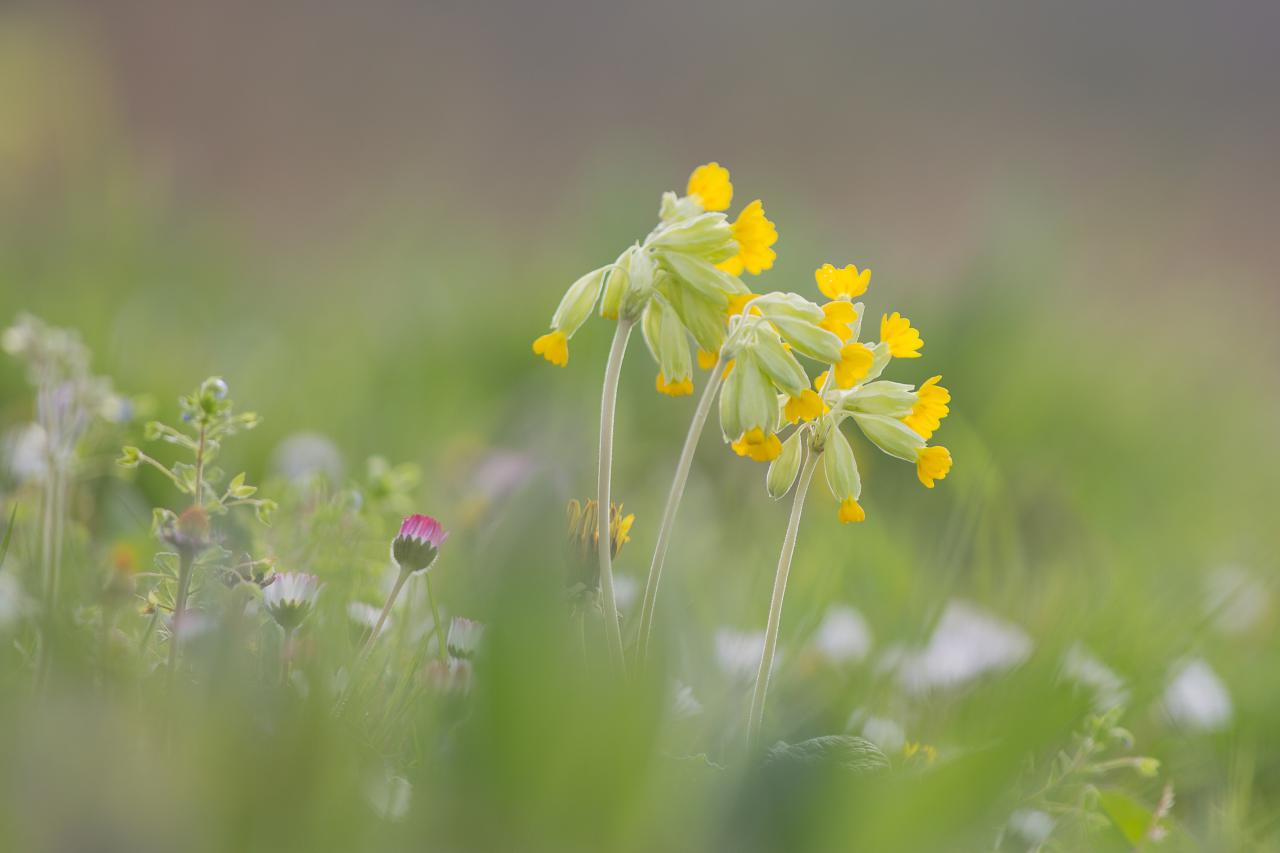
(1113, 498)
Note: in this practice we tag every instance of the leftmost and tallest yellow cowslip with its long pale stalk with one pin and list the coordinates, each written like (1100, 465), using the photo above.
(675, 285)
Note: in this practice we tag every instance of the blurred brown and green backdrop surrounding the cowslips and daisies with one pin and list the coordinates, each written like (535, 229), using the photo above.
(362, 215)
